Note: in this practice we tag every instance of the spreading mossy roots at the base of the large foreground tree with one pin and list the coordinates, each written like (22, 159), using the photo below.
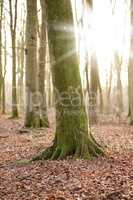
(87, 151)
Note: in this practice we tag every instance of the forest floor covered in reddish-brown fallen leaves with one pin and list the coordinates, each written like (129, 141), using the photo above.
(104, 178)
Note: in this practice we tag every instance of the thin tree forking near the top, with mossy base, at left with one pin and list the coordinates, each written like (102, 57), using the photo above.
(13, 24)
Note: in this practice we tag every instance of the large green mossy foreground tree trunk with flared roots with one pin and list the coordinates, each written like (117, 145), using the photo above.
(71, 136)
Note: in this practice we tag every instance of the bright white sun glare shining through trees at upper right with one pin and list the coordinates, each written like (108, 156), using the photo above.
(105, 30)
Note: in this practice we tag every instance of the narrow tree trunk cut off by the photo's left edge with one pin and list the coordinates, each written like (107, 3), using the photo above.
(1, 11)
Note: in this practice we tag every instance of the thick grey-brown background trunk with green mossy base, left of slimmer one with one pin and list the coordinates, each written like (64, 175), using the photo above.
(32, 115)
